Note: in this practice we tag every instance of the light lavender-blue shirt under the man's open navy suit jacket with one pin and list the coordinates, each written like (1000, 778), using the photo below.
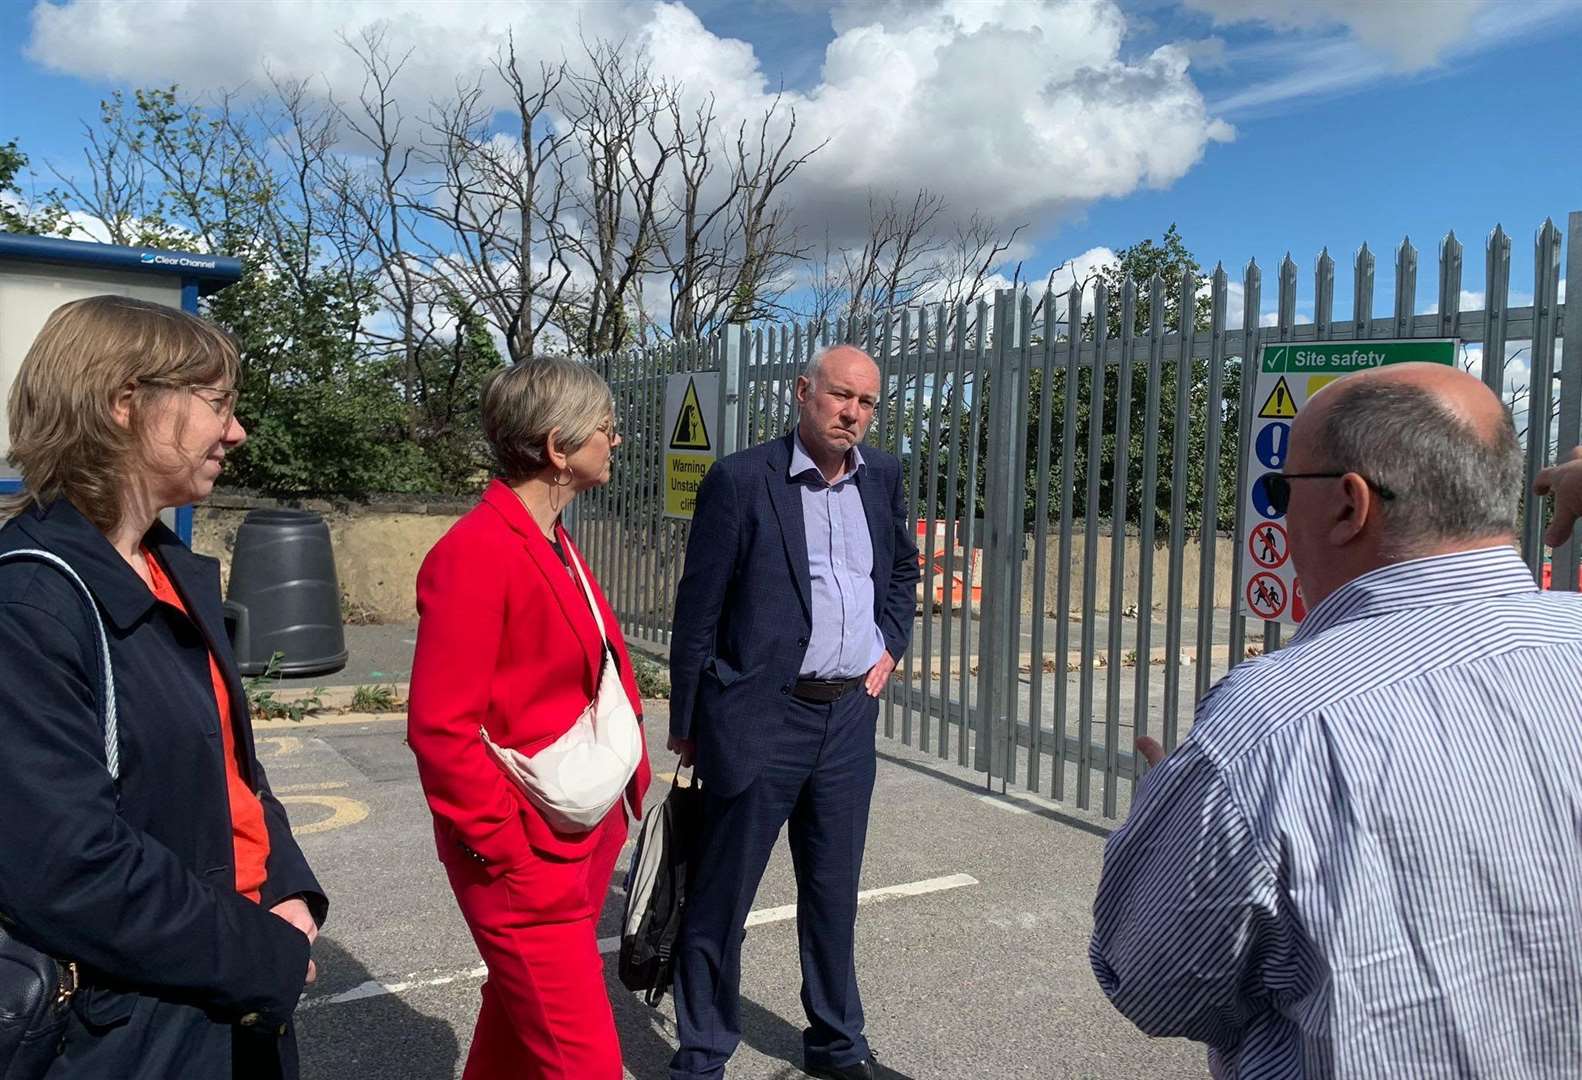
(846, 638)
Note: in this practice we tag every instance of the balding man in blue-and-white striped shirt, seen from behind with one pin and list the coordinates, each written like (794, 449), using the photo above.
(1368, 858)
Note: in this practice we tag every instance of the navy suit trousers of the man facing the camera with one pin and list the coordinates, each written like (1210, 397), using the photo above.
(819, 779)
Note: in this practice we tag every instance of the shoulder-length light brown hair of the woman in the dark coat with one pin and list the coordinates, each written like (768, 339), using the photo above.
(66, 440)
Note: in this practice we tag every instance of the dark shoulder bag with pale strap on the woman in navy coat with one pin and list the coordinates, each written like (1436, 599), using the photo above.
(36, 989)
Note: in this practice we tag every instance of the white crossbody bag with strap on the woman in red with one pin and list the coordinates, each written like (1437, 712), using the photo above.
(580, 777)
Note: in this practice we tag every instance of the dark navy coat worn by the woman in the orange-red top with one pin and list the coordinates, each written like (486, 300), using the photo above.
(138, 885)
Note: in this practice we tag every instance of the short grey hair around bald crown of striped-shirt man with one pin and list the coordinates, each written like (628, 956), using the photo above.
(1450, 481)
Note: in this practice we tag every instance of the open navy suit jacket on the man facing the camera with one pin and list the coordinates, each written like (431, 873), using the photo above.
(744, 610)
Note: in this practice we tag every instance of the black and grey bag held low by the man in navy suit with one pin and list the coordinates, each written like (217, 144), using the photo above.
(657, 893)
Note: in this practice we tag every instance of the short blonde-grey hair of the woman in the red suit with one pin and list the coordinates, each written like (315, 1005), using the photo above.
(526, 402)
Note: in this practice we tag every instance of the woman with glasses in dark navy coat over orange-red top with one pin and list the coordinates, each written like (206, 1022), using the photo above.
(178, 891)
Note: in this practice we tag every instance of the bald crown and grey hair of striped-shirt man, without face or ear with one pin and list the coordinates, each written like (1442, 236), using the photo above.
(1431, 436)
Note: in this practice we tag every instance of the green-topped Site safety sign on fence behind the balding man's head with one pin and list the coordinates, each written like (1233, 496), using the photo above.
(1290, 374)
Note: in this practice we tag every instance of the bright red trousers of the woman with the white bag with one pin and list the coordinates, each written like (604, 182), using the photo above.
(547, 1011)
